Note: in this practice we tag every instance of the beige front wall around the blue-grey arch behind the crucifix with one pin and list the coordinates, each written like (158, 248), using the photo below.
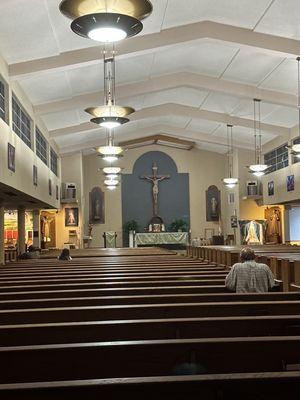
(204, 168)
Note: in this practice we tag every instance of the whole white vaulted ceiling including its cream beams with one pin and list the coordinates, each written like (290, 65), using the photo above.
(196, 66)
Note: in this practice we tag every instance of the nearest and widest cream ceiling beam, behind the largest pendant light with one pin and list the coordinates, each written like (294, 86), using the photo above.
(167, 37)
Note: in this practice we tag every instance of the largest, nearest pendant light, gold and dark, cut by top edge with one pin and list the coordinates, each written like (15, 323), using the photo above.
(106, 20)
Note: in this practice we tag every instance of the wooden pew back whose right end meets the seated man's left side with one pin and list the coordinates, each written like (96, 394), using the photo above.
(23, 294)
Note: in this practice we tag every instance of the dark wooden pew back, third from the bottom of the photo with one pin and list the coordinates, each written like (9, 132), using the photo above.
(143, 329)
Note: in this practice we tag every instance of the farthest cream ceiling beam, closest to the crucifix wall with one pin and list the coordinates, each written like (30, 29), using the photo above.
(197, 137)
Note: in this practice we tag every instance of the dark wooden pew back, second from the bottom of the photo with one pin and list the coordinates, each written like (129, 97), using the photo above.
(146, 358)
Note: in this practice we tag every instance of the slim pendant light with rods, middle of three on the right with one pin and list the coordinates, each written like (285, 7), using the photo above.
(257, 169)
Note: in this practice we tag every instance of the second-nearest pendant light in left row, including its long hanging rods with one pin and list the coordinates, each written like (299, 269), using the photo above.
(109, 115)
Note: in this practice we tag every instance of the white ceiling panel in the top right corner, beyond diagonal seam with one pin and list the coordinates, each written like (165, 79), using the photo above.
(282, 19)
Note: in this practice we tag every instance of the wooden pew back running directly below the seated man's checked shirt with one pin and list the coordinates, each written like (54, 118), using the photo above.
(142, 299)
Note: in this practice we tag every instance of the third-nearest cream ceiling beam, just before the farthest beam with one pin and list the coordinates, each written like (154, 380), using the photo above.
(178, 110)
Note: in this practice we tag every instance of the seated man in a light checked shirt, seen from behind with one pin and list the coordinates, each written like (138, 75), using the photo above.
(248, 276)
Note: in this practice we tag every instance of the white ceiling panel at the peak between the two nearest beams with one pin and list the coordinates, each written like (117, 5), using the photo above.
(207, 57)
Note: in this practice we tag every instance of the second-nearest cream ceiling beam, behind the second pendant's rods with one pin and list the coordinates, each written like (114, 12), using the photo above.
(172, 81)
